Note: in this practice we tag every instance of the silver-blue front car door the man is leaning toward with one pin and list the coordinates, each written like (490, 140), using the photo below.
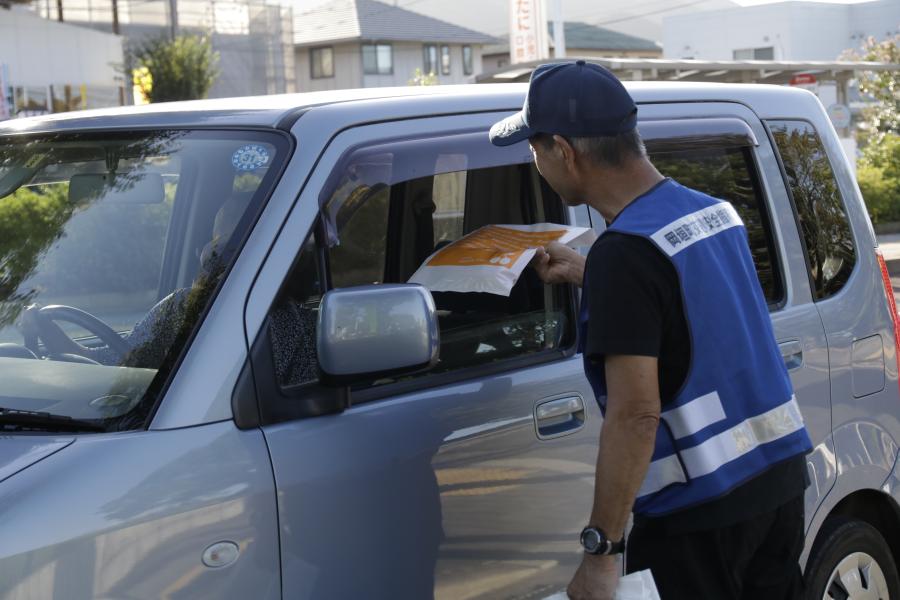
(469, 481)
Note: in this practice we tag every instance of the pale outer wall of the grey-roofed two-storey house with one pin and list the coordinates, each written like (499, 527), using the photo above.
(407, 58)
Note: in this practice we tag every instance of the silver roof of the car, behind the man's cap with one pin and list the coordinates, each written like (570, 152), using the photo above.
(281, 110)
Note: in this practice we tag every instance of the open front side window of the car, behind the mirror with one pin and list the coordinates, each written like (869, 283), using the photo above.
(389, 224)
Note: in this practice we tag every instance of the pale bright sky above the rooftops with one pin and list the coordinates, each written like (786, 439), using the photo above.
(642, 18)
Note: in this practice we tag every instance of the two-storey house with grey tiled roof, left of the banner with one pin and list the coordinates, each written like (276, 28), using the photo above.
(364, 43)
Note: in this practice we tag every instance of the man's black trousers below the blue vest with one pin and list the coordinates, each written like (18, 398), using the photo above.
(756, 558)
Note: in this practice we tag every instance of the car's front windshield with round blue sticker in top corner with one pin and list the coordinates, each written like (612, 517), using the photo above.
(111, 246)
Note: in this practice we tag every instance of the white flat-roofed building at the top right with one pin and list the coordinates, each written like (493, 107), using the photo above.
(784, 31)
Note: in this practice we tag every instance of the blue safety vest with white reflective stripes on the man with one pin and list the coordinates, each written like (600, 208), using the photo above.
(735, 414)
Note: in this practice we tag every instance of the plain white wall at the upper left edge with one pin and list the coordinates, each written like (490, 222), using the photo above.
(39, 52)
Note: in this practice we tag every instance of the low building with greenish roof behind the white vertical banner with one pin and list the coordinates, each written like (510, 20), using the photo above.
(584, 41)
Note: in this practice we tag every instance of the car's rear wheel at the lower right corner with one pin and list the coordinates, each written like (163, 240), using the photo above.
(851, 561)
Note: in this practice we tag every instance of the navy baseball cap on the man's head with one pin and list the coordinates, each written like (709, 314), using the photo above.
(576, 99)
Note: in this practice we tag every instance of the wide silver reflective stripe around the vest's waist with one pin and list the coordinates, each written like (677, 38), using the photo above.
(723, 448)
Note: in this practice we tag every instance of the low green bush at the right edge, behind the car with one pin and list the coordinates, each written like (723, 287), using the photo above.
(878, 174)
